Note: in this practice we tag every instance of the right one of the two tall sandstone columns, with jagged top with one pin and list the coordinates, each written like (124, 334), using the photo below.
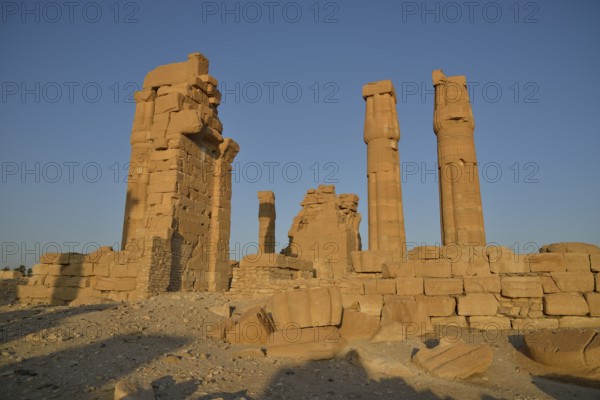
(460, 196)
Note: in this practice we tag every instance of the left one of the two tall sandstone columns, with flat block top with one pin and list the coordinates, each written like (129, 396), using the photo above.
(382, 133)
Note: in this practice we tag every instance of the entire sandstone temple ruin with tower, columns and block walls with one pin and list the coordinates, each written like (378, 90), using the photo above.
(177, 225)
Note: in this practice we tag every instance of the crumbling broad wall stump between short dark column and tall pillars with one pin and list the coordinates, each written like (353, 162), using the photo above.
(326, 230)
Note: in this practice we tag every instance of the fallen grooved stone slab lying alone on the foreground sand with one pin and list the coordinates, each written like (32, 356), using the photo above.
(455, 360)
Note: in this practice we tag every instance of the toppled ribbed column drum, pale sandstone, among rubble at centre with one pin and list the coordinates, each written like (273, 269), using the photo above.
(306, 308)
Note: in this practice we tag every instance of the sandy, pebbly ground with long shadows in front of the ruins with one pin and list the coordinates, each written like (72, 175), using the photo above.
(81, 352)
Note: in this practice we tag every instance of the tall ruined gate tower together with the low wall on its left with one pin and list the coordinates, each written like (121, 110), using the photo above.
(178, 205)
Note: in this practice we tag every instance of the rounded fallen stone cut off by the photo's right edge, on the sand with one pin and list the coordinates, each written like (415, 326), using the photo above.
(564, 349)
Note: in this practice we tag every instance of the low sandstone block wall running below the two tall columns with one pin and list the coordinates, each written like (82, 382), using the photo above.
(487, 287)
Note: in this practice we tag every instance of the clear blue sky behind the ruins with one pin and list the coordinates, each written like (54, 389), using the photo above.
(291, 75)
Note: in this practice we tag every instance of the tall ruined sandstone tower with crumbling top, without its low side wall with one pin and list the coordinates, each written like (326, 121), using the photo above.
(179, 192)
